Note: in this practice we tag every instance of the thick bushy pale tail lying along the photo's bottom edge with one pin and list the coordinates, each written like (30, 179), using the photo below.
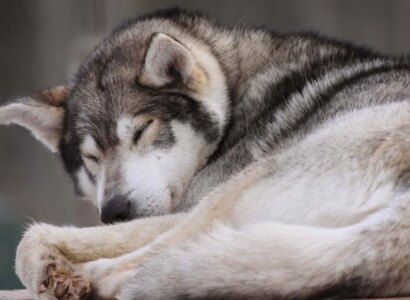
(278, 261)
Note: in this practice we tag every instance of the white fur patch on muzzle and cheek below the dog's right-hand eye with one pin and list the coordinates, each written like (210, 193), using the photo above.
(157, 178)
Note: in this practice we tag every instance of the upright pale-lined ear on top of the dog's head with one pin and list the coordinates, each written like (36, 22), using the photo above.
(169, 62)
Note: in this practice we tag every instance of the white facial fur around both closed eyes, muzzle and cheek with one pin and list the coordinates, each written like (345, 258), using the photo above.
(152, 178)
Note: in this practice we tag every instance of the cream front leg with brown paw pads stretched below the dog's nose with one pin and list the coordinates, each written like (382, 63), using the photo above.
(47, 254)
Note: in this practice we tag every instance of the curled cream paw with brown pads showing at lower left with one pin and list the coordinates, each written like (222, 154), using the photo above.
(46, 272)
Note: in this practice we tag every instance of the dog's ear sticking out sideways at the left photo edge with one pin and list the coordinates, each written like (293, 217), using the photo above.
(41, 113)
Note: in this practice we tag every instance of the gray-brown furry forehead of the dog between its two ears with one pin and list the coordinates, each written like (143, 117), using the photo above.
(107, 79)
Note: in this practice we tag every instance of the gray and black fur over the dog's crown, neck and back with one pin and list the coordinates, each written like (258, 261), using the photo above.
(104, 87)
